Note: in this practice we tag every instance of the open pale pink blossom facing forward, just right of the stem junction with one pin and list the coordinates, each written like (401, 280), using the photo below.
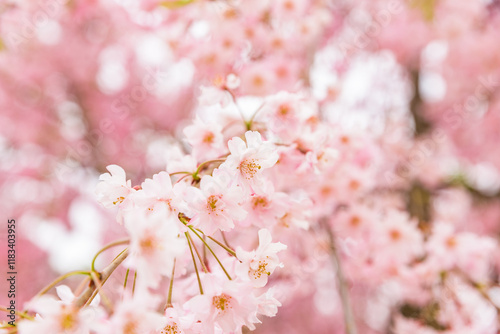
(216, 204)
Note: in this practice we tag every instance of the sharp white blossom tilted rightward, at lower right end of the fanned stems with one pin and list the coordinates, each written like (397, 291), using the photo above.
(257, 265)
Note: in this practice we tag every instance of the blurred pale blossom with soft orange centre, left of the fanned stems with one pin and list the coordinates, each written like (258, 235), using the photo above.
(154, 244)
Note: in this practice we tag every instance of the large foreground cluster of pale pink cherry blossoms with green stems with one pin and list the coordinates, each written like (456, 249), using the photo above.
(170, 218)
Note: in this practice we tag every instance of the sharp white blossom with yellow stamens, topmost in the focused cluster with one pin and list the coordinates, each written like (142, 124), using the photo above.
(248, 160)
